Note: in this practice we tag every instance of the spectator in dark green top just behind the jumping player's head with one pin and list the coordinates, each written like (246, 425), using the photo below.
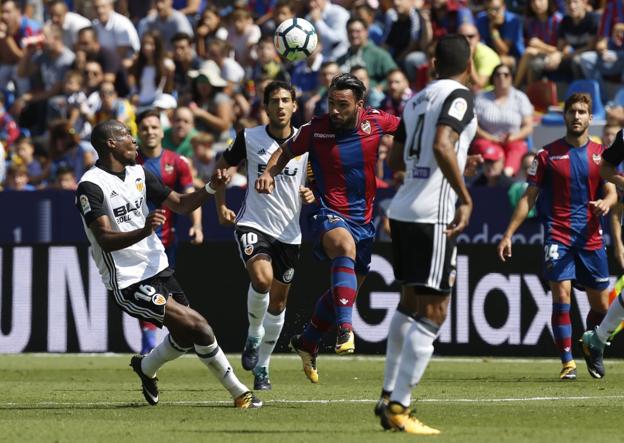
(377, 61)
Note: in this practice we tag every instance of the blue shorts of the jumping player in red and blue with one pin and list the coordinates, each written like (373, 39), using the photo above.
(325, 220)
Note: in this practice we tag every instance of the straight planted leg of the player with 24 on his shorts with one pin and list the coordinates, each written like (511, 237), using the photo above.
(562, 327)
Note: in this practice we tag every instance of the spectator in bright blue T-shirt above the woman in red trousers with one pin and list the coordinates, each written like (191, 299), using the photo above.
(501, 30)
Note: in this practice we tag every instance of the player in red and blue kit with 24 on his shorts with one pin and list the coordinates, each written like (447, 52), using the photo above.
(572, 198)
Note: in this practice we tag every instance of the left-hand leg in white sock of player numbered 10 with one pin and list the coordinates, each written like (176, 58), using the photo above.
(260, 273)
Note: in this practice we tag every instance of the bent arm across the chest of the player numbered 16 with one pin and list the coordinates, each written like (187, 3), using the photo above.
(110, 240)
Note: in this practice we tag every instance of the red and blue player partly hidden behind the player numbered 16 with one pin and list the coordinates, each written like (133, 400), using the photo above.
(175, 173)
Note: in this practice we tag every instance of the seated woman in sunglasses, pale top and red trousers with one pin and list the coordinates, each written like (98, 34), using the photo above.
(505, 117)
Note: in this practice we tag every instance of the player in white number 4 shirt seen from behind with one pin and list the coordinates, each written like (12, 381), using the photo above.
(431, 147)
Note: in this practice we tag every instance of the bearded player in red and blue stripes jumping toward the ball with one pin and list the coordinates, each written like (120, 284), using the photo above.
(342, 148)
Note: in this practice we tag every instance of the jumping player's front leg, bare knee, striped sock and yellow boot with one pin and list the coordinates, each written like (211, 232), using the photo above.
(339, 246)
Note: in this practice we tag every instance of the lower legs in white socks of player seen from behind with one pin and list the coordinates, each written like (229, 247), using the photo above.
(414, 328)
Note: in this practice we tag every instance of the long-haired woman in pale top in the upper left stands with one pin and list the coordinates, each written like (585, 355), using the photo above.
(151, 74)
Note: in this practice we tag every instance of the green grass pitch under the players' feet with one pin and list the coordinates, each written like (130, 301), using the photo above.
(97, 398)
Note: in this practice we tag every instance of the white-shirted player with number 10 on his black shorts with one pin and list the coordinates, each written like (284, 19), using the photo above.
(267, 227)
